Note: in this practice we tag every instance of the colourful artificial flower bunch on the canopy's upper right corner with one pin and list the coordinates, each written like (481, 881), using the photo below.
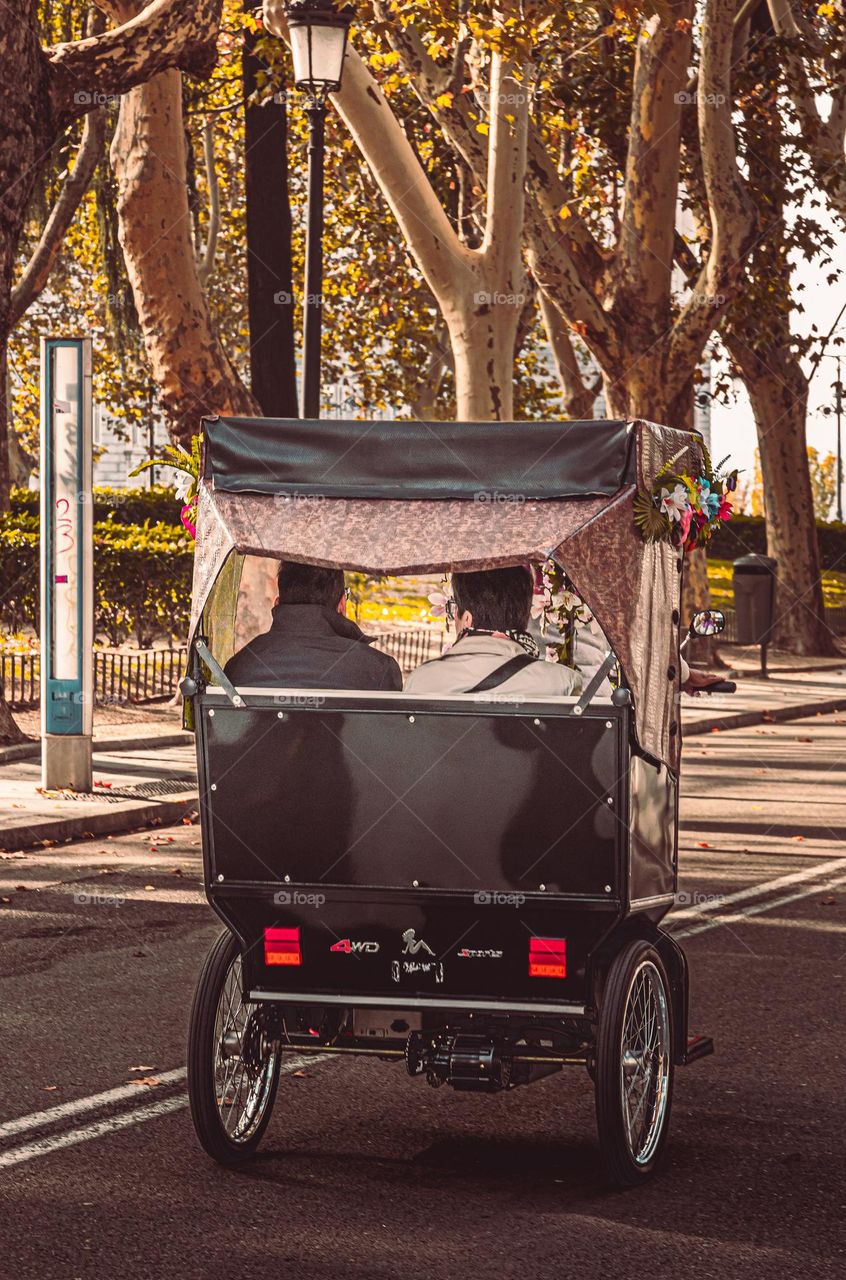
(687, 510)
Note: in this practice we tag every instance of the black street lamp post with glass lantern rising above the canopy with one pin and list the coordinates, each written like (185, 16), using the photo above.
(318, 34)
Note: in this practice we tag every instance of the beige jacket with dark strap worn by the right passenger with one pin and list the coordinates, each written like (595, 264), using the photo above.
(475, 657)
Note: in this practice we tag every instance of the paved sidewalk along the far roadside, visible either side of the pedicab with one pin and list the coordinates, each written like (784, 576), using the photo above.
(145, 772)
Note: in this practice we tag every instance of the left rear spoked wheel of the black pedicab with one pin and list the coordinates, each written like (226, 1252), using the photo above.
(234, 1069)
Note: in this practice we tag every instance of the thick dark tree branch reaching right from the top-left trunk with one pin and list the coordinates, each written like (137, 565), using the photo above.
(166, 34)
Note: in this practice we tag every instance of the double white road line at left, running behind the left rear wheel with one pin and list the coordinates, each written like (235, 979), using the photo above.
(111, 1124)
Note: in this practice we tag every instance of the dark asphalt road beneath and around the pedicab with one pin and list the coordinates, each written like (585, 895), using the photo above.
(368, 1174)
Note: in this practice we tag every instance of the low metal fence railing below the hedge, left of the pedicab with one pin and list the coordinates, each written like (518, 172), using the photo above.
(120, 676)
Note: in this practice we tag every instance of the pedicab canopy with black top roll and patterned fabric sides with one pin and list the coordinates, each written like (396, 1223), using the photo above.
(426, 497)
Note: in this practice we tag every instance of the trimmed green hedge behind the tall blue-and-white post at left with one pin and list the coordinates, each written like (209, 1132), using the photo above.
(141, 573)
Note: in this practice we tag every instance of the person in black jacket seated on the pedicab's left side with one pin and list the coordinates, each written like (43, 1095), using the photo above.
(312, 644)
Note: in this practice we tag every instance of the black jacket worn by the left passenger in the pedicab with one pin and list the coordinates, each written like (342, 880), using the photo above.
(312, 647)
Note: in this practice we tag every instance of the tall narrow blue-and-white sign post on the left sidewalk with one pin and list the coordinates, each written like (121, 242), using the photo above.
(67, 565)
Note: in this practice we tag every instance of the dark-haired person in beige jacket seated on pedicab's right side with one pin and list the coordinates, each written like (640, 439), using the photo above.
(495, 650)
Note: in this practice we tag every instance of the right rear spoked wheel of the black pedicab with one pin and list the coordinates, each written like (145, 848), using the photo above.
(634, 1064)
